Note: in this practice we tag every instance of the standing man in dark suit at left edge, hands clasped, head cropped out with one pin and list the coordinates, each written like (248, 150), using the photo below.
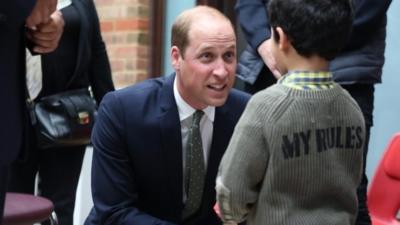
(13, 16)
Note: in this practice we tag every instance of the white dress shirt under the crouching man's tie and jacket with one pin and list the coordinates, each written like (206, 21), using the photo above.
(206, 128)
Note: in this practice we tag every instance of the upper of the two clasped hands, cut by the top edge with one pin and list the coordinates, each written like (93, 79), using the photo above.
(41, 13)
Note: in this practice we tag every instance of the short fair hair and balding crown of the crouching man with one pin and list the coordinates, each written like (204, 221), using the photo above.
(183, 23)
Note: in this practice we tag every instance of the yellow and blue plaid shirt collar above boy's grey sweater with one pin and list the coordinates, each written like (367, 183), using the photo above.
(307, 80)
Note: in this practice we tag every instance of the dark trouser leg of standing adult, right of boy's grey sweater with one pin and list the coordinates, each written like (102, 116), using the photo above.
(364, 96)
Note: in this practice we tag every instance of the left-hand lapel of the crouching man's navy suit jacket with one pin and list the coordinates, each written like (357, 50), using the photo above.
(171, 144)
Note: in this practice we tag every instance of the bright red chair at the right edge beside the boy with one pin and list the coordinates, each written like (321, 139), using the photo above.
(384, 190)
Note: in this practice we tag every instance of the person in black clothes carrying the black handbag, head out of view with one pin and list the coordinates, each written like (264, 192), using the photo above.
(79, 61)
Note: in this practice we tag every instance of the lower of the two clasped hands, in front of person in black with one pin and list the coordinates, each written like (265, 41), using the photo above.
(47, 35)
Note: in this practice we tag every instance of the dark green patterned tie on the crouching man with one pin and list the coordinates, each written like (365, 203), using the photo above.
(195, 168)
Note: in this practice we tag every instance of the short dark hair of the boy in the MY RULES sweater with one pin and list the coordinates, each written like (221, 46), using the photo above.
(313, 27)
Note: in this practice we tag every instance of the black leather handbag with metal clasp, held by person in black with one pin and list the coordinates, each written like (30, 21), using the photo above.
(64, 119)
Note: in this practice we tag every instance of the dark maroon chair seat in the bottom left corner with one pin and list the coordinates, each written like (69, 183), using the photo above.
(25, 209)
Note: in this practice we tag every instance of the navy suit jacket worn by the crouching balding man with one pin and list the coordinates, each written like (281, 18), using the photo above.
(137, 159)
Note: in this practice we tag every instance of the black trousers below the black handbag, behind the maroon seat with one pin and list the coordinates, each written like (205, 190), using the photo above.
(58, 170)
